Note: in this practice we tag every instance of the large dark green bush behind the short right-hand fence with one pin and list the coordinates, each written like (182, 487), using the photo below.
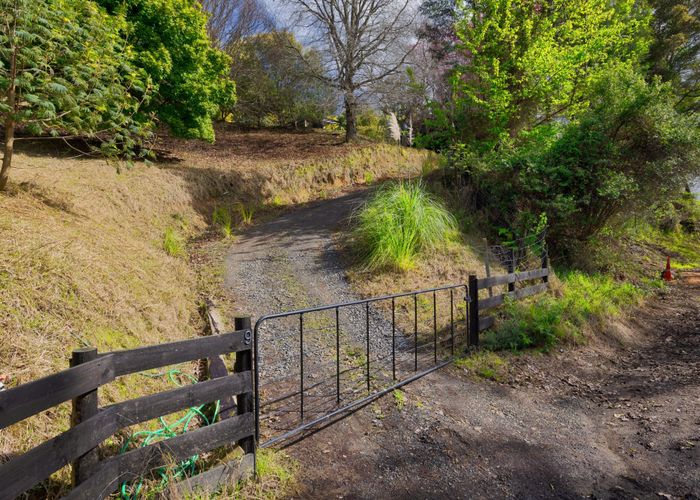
(630, 148)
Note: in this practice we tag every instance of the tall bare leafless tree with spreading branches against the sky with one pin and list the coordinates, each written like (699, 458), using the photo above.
(364, 40)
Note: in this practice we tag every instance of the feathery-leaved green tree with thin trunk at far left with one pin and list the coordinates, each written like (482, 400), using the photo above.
(65, 71)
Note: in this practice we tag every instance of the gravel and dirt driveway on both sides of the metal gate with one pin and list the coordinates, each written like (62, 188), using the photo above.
(615, 419)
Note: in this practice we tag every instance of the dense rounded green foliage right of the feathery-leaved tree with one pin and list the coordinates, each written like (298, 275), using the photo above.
(190, 77)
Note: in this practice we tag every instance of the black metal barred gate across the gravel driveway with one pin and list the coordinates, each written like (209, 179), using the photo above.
(315, 364)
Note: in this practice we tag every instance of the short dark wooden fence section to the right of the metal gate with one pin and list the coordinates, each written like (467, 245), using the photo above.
(477, 321)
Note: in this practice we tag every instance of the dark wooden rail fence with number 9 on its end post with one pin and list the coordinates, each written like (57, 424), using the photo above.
(91, 425)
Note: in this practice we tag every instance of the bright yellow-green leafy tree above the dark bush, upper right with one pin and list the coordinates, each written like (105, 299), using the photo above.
(530, 62)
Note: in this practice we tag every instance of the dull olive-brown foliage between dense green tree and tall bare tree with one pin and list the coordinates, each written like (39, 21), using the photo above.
(273, 82)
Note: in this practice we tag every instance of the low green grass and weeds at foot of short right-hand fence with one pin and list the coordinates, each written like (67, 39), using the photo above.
(543, 322)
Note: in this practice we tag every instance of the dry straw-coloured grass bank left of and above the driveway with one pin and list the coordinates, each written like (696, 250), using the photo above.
(81, 244)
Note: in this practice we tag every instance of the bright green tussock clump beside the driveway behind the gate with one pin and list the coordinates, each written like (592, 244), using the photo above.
(400, 221)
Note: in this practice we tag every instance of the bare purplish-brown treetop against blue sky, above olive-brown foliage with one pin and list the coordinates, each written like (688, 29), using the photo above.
(231, 20)
